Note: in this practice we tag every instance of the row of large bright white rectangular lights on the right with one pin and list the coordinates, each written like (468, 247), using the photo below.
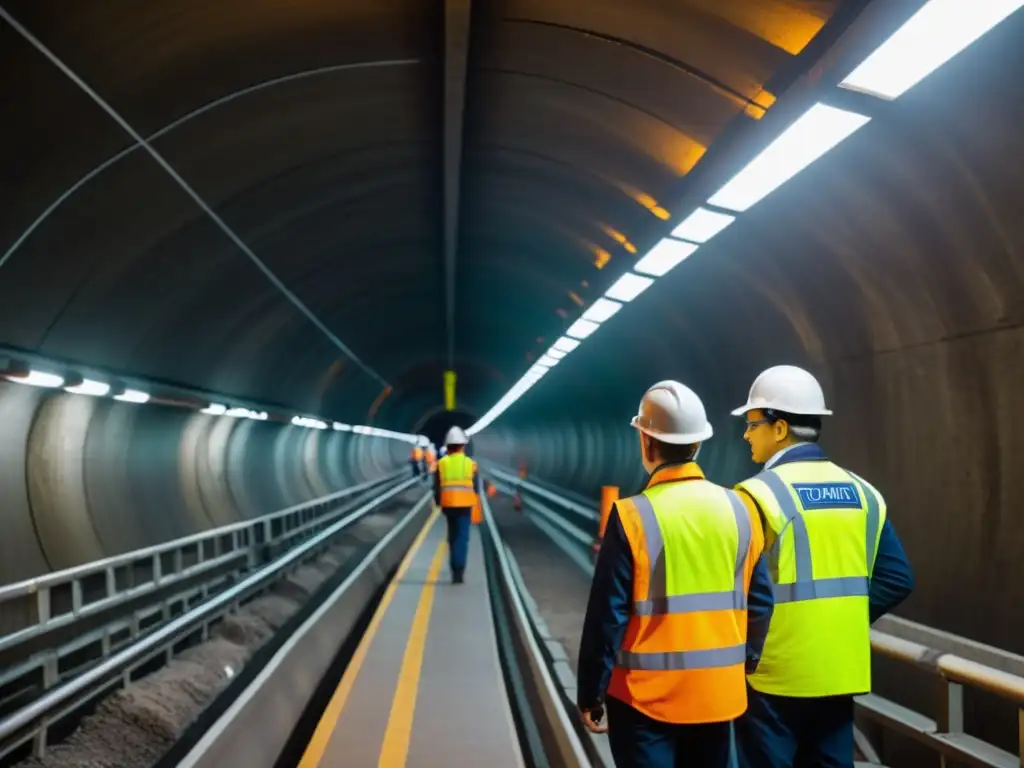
(940, 31)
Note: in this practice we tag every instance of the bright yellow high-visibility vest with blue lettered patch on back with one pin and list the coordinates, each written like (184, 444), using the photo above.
(826, 524)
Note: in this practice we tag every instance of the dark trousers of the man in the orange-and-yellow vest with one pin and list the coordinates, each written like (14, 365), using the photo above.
(639, 742)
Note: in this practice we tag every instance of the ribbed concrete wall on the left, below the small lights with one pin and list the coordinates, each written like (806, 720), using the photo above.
(83, 479)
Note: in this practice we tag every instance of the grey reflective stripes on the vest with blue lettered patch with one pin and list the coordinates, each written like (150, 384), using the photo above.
(806, 587)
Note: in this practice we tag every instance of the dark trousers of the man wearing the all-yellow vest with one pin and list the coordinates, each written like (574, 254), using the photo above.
(790, 733)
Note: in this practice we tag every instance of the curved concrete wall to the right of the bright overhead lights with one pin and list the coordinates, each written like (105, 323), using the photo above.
(893, 269)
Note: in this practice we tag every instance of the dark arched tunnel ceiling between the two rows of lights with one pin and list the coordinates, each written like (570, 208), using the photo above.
(315, 134)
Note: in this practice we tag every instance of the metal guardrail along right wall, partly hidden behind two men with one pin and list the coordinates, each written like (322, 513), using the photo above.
(945, 735)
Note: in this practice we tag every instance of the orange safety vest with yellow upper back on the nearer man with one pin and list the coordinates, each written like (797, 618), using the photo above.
(695, 545)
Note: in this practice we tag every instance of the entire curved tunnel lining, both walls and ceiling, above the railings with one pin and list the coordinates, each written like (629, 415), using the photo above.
(313, 211)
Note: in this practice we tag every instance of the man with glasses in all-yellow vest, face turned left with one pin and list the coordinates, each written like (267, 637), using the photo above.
(837, 566)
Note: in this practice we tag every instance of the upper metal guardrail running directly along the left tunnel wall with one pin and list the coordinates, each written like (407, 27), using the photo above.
(72, 617)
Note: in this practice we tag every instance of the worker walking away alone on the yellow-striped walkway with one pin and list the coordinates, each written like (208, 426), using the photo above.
(457, 486)
